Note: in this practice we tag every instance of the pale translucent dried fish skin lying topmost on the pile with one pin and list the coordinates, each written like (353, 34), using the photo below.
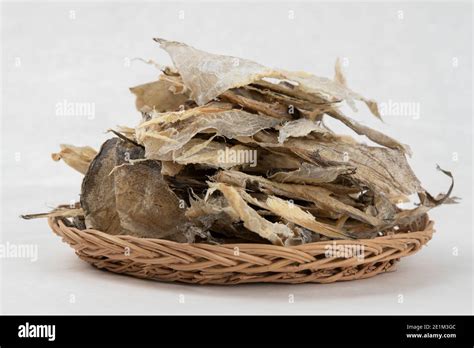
(209, 75)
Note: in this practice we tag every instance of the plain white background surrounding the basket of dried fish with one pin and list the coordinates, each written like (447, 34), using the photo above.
(420, 53)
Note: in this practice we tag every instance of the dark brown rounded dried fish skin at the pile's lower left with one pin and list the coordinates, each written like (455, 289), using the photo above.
(122, 193)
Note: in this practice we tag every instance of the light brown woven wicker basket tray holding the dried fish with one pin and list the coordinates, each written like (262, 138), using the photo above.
(320, 262)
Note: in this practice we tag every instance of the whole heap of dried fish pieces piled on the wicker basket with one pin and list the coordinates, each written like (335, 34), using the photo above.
(229, 150)
